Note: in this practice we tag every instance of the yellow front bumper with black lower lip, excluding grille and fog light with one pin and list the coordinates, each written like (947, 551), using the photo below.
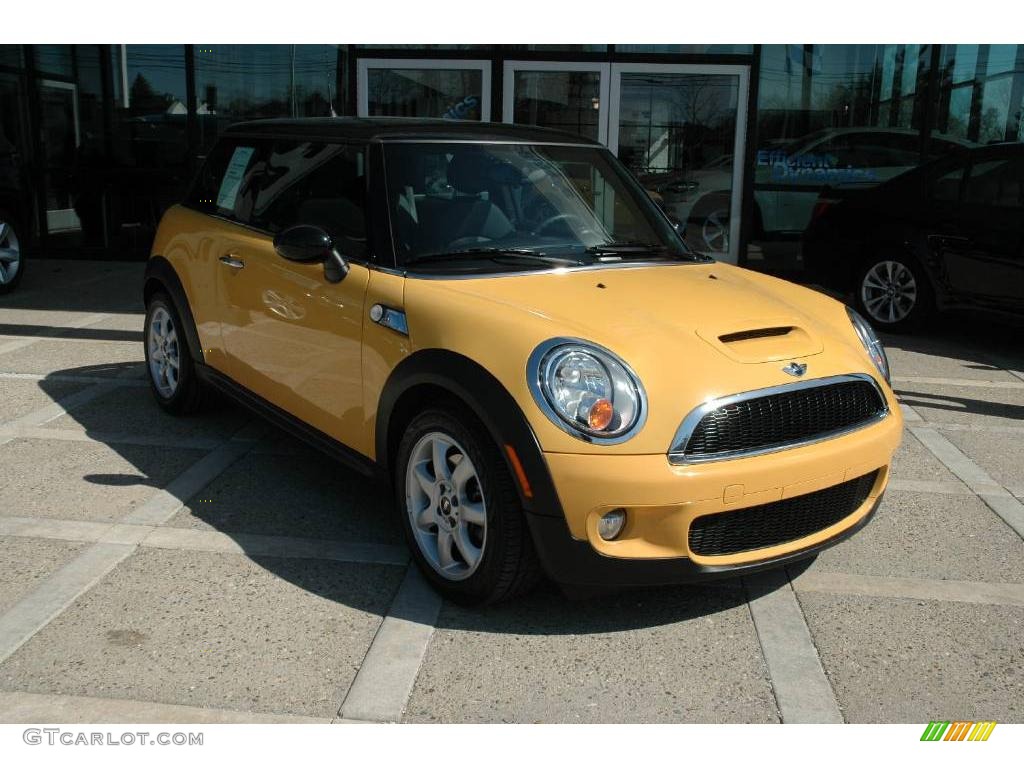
(662, 500)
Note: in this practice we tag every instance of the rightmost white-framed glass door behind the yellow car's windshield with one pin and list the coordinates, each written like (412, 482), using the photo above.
(680, 130)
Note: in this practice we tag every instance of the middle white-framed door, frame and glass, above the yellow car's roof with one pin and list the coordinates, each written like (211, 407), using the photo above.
(567, 96)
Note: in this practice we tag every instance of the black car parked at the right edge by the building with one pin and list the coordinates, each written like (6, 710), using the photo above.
(950, 234)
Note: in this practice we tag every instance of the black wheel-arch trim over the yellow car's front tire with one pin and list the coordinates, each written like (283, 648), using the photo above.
(490, 402)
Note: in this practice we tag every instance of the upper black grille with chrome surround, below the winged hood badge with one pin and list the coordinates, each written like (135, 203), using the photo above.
(784, 418)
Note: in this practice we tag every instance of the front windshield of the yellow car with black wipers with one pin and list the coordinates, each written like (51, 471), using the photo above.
(472, 207)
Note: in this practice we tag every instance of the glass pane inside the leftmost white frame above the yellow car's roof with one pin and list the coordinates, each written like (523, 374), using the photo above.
(422, 93)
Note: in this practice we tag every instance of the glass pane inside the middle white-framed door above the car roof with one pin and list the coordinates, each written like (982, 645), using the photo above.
(567, 101)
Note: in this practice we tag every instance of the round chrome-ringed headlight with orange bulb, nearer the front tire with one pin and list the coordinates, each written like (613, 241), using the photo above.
(587, 391)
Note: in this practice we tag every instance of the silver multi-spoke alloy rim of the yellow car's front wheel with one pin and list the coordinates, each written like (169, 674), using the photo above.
(446, 507)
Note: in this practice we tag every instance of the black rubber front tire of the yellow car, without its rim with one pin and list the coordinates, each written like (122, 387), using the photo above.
(509, 566)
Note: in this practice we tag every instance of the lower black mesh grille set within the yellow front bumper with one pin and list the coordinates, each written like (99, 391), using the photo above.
(778, 523)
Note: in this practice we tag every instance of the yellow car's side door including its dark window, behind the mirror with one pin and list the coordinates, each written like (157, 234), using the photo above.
(291, 336)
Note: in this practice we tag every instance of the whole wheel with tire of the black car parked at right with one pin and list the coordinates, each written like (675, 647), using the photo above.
(910, 314)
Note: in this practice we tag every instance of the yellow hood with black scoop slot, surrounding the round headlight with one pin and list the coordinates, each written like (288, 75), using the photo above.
(691, 332)
